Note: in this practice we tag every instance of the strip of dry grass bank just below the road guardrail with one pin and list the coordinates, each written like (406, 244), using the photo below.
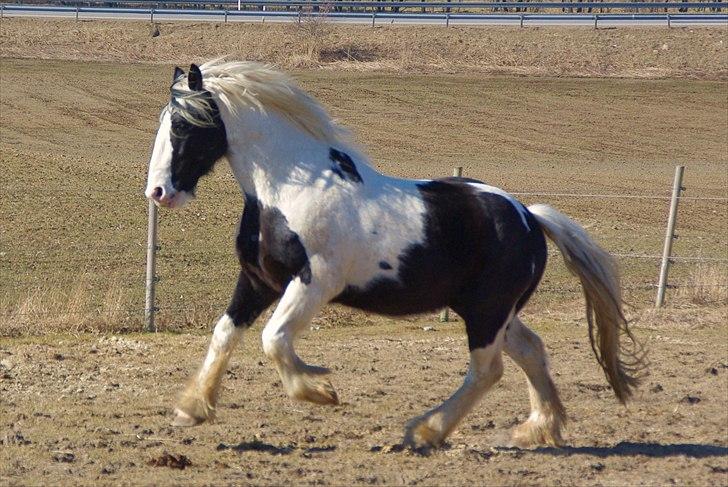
(644, 52)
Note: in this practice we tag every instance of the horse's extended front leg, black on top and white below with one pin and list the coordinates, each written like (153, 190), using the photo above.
(198, 401)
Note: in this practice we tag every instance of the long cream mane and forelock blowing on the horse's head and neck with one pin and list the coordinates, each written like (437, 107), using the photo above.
(242, 84)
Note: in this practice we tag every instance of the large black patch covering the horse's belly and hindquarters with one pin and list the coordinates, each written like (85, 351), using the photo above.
(477, 257)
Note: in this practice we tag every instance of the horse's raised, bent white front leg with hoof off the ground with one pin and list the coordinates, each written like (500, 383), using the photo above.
(299, 304)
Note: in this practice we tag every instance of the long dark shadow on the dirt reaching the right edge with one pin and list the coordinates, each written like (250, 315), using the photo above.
(627, 448)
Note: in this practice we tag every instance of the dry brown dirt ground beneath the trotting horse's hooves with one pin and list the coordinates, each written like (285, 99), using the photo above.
(93, 409)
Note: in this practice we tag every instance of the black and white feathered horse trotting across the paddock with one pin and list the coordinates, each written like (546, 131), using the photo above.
(320, 225)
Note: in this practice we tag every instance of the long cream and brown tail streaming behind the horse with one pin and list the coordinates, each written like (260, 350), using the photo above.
(599, 277)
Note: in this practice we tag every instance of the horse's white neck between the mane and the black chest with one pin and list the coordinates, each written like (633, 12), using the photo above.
(267, 153)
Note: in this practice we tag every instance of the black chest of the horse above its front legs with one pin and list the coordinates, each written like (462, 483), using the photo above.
(268, 248)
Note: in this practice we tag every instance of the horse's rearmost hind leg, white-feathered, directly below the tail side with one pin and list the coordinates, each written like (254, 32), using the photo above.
(543, 426)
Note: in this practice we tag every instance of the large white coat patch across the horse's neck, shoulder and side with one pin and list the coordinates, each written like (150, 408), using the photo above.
(354, 226)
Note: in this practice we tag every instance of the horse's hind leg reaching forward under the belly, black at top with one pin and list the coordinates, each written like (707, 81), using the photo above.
(485, 337)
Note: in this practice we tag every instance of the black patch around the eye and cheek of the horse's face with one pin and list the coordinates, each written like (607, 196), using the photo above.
(195, 150)
